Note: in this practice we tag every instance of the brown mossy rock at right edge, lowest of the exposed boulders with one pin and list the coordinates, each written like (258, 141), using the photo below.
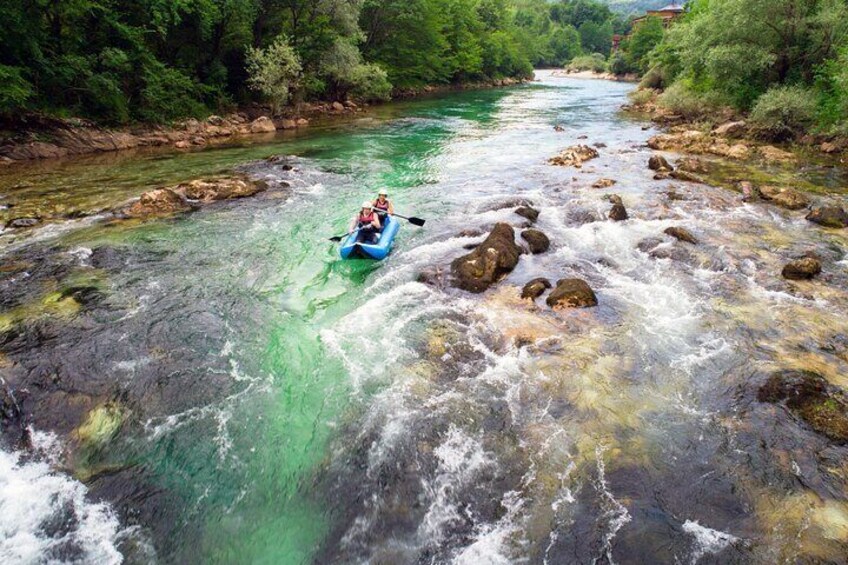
(811, 398)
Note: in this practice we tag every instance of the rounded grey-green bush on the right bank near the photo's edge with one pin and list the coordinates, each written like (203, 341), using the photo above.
(784, 112)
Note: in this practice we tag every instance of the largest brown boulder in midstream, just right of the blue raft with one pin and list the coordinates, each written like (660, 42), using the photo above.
(493, 259)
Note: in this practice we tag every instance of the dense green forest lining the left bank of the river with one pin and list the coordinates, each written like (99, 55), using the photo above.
(128, 61)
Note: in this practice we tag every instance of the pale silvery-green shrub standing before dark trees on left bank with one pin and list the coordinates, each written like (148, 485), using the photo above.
(274, 71)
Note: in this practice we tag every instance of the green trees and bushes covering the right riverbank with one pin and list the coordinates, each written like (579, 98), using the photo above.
(783, 63)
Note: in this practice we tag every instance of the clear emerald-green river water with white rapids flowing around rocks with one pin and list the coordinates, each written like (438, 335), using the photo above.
(257, 400)
